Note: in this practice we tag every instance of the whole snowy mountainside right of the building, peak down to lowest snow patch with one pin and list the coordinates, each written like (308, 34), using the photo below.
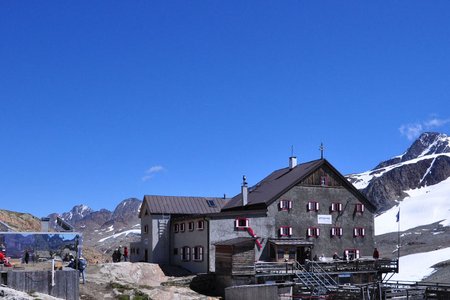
(416, 187)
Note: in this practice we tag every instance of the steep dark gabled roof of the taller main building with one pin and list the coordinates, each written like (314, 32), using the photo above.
(280, 181)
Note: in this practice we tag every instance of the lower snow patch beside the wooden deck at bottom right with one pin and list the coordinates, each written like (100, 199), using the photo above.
(416, 267)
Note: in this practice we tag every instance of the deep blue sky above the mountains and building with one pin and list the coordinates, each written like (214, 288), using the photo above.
(105, 100)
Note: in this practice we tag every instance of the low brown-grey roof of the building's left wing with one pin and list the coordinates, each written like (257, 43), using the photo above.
(183, 205)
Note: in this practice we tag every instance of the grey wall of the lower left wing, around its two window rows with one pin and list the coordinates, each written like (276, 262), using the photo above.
(191, 239)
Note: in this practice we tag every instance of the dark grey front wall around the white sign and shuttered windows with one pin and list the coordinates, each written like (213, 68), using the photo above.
(300, 219)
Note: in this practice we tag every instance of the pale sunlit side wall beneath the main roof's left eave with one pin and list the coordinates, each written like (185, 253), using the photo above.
(223, 228)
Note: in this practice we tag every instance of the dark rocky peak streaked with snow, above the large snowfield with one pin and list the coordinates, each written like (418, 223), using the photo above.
(426, 162)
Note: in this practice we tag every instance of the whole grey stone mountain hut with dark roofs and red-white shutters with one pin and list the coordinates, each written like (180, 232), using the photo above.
(294, 214)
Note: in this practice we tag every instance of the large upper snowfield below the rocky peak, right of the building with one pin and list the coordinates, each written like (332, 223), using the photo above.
(423, 206)
